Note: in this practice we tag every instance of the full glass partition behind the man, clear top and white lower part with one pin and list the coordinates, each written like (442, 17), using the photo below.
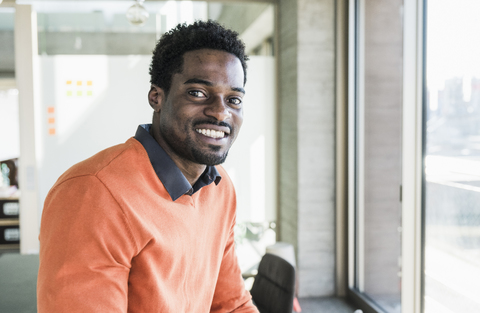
(93, 71)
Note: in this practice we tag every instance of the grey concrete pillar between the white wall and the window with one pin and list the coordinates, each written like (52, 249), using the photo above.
(307, 140)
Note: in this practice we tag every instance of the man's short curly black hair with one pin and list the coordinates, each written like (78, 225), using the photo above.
(168, 53)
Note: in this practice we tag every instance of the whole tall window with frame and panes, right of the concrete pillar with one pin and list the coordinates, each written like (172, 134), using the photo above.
(440, 217)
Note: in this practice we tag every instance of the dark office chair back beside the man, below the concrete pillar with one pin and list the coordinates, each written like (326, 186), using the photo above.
(274, 287)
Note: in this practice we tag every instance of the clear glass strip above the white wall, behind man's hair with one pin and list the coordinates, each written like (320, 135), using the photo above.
(101, 27)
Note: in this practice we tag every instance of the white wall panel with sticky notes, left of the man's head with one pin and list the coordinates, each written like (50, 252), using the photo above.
(87, 118)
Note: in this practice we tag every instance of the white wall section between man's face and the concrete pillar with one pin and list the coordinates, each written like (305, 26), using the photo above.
(251, 162)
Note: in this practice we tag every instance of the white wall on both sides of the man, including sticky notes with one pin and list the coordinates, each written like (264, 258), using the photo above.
(109, 110)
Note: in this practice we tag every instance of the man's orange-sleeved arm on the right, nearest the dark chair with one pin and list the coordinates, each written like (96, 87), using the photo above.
(230, 294)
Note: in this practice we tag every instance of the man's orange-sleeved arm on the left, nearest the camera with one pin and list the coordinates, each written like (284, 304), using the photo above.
(86, 246)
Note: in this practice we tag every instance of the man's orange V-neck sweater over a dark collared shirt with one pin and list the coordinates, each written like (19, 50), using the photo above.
(112, 240)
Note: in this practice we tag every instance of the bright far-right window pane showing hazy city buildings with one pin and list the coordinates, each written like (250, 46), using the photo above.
(452, 189)
